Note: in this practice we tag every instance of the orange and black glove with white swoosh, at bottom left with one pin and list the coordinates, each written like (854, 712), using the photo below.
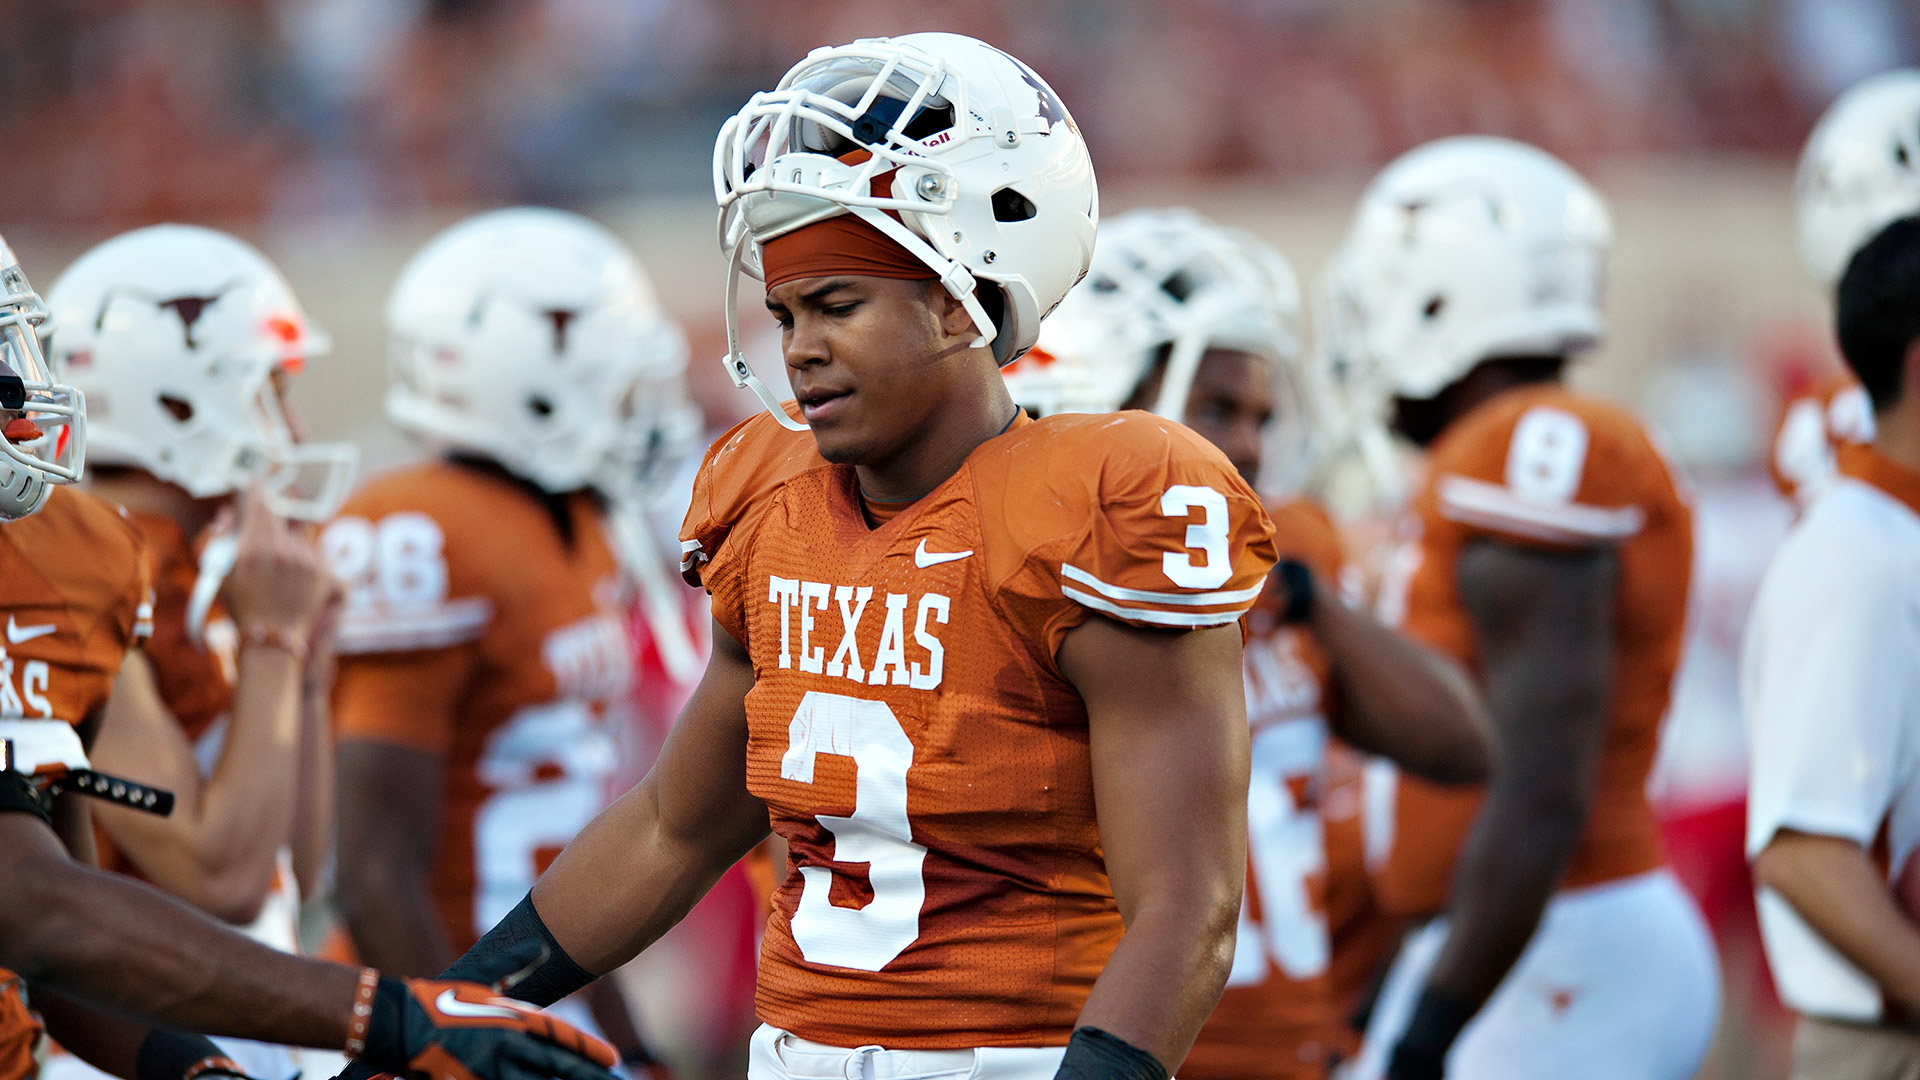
(464, 1031)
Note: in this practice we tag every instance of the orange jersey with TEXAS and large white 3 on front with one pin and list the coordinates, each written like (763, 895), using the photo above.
(909, 727)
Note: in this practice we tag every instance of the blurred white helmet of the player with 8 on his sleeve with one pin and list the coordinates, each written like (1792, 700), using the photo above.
(1464, 251)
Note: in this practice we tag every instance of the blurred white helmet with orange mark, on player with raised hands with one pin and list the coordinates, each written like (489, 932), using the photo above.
(176, 333)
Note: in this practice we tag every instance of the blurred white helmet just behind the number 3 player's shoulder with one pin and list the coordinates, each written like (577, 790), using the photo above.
(1170, 282)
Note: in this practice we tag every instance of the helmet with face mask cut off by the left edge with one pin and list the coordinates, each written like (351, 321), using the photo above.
(43, 424)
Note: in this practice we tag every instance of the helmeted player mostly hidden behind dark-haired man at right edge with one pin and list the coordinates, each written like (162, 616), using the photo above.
(1860, 172)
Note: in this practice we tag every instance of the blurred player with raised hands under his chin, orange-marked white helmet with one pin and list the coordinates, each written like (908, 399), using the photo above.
(181, 341)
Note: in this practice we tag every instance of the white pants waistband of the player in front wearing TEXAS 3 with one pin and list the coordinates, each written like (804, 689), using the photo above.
(782, 1056)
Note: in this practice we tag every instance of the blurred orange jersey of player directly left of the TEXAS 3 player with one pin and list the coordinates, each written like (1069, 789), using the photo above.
(477, 633)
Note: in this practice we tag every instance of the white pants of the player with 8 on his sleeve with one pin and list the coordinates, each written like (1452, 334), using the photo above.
(1621, 983)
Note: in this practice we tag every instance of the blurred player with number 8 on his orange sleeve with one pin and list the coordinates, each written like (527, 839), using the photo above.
(1552, 558)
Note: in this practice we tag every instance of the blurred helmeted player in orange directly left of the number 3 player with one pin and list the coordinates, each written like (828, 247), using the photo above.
(485, 654)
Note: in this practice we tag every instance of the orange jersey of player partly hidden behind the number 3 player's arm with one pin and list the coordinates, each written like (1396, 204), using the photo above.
(1278, 1008)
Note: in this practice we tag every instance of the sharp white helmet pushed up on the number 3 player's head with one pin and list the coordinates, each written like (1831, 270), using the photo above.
(982, 176)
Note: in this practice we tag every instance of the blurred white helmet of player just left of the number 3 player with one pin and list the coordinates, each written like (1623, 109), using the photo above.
(531, 337)
